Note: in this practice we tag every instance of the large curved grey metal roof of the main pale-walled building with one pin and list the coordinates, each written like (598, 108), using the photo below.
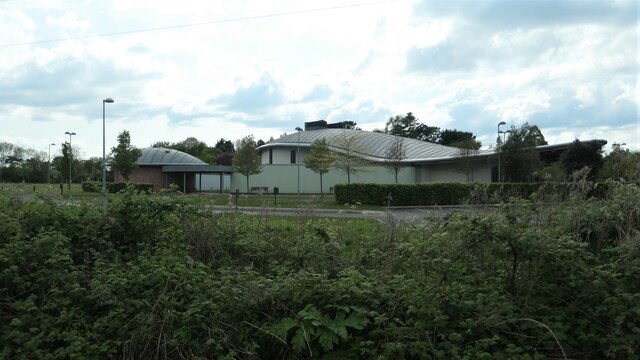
(373, 144)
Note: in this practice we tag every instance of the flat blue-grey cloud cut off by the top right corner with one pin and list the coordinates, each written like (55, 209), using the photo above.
(534, 13)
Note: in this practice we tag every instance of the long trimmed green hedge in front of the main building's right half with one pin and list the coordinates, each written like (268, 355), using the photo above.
(458, 193)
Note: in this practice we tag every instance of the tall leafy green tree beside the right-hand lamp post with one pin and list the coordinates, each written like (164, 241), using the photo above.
(519, 158)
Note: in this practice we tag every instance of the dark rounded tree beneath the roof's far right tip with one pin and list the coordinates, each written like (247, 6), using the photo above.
(580, 155)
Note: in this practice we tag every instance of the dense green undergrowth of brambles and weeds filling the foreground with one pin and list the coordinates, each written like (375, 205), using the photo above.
(156, 277)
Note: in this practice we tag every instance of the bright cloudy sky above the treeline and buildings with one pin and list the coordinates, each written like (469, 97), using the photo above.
(226, 69)
